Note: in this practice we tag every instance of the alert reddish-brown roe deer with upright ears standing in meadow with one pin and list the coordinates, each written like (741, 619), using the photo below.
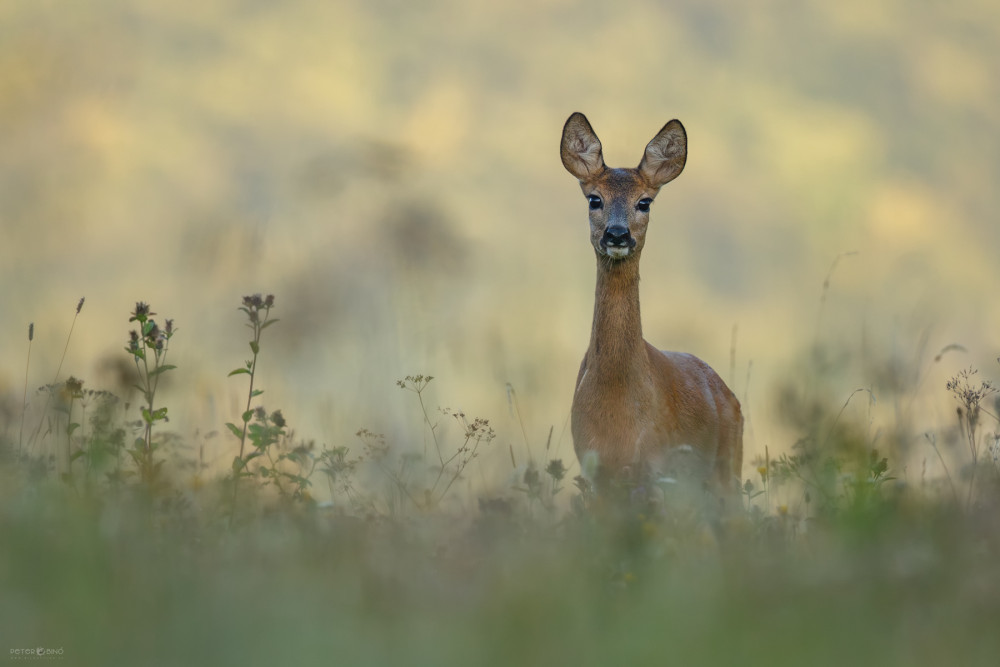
(637, 408)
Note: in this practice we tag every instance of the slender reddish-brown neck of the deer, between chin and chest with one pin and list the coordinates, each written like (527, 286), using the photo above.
(617, 350)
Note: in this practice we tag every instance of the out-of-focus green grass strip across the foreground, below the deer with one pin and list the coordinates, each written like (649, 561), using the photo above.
(112, 583)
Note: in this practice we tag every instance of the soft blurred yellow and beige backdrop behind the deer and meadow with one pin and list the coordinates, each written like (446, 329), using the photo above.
(390, 171)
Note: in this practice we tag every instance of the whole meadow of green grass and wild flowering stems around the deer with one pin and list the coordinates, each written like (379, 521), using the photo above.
(356, 554)
